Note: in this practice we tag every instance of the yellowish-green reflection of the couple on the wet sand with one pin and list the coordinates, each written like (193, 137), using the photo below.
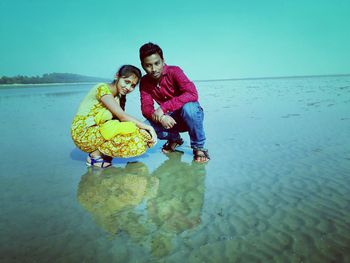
(151, 208)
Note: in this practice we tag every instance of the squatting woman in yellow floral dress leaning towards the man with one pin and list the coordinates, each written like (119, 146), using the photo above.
(103, 129)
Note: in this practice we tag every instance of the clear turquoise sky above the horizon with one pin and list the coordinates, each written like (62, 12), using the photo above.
(208, 39)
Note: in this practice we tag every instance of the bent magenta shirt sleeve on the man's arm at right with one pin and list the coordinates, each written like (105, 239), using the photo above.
(187, 89)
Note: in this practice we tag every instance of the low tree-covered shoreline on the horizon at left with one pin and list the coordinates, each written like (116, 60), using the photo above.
(49, 78)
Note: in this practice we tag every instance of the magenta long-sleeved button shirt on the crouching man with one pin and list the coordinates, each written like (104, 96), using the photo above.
(172, 91)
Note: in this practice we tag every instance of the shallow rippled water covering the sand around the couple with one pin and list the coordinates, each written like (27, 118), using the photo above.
(276, 190)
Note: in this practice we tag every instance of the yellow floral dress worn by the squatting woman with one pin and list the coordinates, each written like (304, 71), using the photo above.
(94, 128)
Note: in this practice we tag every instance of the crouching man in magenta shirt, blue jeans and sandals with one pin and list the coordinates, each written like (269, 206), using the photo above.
(177, 97)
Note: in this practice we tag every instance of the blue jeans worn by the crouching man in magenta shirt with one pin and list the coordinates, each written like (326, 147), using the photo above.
(188, 119)
